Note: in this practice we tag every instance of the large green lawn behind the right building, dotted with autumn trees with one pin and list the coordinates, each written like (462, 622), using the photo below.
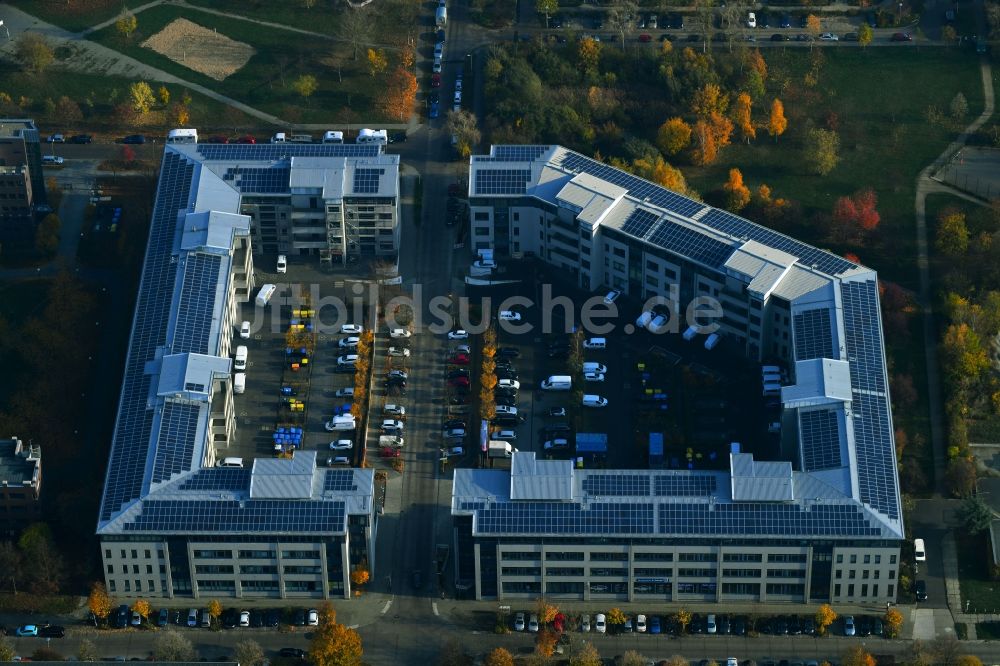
(884, 136)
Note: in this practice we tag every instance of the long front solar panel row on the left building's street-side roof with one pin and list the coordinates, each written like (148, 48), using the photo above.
(228, 516)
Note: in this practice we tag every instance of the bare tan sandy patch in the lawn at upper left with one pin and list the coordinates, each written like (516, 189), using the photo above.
(198, 48)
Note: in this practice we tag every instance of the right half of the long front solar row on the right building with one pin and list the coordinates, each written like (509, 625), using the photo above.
(753, 518)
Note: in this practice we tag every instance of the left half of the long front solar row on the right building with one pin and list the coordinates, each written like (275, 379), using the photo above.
(552, 518)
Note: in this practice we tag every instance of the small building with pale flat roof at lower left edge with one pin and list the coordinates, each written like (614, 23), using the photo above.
(20, 484)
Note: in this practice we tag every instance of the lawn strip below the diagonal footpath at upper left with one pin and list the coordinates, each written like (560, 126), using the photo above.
(104, 92)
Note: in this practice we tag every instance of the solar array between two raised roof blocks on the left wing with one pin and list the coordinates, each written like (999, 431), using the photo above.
(196, 305)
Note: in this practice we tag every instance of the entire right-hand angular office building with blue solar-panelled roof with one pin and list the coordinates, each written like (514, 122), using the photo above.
(823, 526)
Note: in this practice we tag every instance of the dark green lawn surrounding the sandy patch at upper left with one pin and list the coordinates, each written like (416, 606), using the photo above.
(265, 81)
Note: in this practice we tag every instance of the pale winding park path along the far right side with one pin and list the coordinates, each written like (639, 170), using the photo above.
(927, 185)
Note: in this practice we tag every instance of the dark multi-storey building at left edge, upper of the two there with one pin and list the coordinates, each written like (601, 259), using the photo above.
(22, 183)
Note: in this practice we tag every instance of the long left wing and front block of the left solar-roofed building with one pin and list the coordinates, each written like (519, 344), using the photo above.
(172, 522)
